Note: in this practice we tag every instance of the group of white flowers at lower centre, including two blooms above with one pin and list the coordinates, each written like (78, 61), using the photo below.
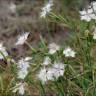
(58, 68)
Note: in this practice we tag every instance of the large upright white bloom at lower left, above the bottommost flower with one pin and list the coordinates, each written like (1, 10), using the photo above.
(22, 66)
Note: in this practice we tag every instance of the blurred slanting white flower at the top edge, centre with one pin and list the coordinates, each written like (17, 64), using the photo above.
(46, 9)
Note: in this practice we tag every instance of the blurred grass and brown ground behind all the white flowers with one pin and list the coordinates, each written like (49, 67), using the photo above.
(64, 27)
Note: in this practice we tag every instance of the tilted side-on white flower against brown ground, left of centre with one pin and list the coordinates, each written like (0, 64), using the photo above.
(22, 38)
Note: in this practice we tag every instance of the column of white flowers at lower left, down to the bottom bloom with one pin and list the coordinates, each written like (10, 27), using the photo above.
(22, 72)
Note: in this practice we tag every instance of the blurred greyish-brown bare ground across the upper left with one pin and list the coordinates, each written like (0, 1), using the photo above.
(26, 18)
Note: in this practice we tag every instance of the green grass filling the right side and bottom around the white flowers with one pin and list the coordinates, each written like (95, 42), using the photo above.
(79, 78)
